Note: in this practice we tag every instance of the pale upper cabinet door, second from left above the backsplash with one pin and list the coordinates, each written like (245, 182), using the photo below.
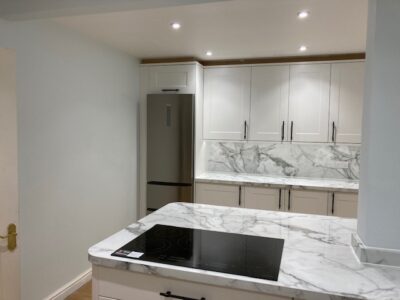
(269, 103)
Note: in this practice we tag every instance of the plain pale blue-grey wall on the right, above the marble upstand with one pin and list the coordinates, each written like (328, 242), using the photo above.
(379, 205)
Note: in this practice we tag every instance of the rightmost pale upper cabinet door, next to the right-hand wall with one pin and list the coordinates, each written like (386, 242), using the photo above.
(347, 92)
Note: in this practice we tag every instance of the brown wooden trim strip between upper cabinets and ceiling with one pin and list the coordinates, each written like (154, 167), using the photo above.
(253, 61)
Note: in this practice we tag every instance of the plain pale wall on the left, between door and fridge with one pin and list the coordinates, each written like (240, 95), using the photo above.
(77, 118)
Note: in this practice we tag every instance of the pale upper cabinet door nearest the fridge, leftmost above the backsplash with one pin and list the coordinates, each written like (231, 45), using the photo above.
(226, 102)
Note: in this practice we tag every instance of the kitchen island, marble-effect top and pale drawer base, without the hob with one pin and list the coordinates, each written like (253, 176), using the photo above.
(317, 261)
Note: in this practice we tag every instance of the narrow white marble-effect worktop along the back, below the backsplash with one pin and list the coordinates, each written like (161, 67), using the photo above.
(333, 185)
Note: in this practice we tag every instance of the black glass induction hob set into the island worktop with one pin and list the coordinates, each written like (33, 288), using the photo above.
(237, 254)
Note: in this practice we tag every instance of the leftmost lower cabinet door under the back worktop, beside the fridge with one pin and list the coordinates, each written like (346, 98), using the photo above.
(215, 194)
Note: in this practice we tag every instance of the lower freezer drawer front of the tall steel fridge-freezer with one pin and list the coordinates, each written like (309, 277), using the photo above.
(160, 194)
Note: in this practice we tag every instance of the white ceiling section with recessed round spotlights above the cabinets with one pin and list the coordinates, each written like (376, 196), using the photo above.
(232, 29)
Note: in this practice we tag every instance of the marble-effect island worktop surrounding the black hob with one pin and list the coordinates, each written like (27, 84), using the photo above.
(318, 262)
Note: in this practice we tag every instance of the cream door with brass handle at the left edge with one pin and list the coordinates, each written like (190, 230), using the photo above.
(9, 260)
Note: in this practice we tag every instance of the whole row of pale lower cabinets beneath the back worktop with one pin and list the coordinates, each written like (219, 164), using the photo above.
(274, 199)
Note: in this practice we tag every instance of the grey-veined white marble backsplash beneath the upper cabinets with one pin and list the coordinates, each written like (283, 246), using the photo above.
(284, 159)
